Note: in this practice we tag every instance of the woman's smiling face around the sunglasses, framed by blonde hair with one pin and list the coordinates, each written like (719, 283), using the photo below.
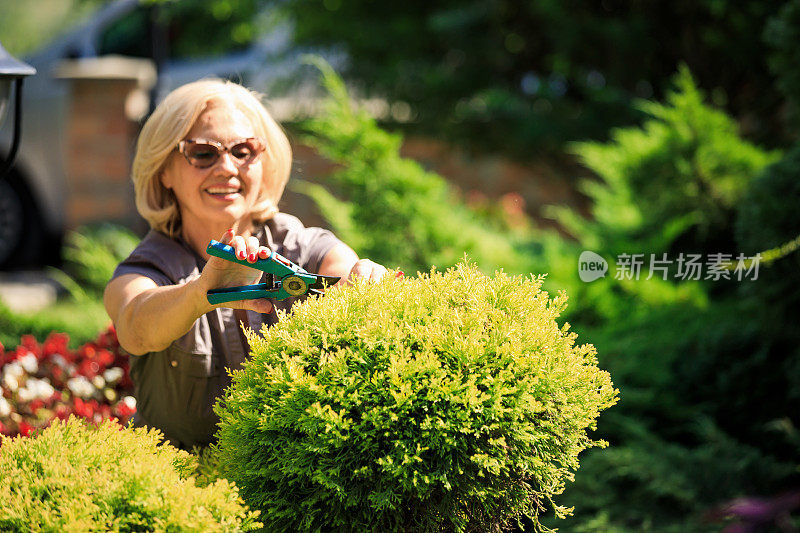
(222, 195)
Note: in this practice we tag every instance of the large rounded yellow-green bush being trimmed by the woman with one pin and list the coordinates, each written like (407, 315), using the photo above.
(449, 402)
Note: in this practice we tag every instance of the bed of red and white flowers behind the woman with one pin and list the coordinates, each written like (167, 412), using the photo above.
(41, 382)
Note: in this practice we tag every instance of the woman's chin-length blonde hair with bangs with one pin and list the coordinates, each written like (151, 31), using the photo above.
(171, 122)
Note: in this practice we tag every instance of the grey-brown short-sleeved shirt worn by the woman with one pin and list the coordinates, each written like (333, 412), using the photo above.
(176, 388)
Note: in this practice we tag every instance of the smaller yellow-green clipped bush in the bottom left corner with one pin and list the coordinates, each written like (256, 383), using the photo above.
(74, 477)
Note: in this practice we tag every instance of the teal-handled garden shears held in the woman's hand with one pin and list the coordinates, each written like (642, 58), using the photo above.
(284, 278)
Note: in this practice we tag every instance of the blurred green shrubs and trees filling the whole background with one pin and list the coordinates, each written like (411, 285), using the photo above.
(684, 115)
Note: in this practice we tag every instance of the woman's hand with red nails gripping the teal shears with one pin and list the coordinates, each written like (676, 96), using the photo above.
(220, 273)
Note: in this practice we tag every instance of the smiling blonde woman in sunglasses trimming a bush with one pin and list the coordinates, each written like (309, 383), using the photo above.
(210, 163)
